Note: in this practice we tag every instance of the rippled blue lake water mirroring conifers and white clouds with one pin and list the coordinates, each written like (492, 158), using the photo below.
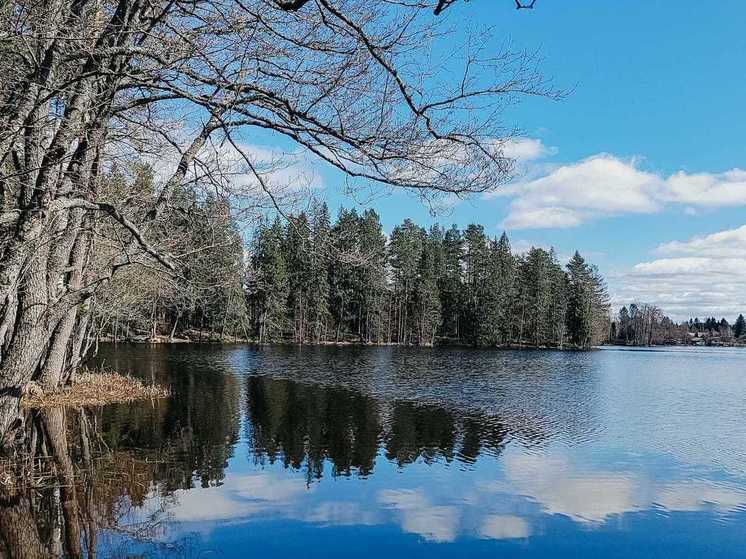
(371, 452)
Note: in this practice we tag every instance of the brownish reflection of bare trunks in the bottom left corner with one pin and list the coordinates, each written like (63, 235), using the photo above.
(66, 487)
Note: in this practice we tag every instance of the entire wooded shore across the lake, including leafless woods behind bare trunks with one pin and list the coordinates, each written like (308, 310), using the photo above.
(305, 279)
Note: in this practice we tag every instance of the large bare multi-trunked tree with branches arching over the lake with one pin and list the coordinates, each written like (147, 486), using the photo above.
(88, 83)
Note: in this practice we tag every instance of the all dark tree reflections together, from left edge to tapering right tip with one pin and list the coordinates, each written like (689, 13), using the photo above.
(101, 481)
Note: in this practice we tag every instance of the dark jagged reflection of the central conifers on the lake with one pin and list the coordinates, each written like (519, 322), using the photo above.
(305, 426)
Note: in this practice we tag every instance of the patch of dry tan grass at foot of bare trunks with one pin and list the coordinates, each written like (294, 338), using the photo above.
(94, 389)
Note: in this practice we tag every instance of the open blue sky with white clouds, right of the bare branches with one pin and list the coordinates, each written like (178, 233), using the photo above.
(639, 167)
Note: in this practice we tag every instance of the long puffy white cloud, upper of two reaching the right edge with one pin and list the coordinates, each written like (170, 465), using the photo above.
(604, 186)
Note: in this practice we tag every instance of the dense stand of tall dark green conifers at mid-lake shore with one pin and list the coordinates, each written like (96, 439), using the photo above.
(312, 281)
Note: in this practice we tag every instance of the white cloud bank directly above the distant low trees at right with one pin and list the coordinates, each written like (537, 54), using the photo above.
(704, 275)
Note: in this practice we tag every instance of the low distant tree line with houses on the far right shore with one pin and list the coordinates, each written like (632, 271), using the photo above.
(643, 324)
